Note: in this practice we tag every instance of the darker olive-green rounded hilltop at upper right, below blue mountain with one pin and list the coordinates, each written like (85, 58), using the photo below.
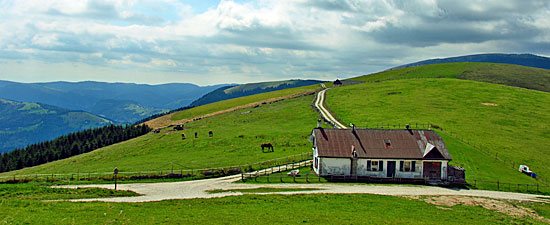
(511, 75)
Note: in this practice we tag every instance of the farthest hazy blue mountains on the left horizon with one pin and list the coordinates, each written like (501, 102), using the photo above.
(119, 102)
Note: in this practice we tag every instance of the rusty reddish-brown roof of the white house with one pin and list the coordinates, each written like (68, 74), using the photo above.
(380, 144)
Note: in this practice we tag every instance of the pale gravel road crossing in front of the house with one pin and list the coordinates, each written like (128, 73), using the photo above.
(198, 189)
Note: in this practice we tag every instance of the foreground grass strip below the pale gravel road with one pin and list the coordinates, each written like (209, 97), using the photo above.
(258, 209)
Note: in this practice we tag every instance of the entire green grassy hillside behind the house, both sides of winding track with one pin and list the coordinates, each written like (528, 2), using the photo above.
(506, 121)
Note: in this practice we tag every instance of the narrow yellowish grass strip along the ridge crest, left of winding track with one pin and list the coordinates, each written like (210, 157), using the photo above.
(230, 103)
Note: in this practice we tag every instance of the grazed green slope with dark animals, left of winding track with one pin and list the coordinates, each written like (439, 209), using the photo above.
(286, 124)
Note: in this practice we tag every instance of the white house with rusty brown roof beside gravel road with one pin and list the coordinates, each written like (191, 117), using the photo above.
(380, 153)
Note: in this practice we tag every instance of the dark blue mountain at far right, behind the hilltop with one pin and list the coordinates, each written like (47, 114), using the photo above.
(516, 59)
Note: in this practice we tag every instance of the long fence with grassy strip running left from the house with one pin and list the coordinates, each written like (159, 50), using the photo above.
(167, 170)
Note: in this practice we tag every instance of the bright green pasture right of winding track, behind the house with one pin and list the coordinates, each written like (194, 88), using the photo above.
(508, 121)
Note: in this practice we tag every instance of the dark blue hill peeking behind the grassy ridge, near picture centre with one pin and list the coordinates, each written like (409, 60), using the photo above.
(235, 91)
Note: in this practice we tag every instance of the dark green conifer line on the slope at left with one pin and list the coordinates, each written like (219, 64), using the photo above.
(69, 145)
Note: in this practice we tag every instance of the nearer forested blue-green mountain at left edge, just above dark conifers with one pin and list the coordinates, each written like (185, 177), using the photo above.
(23, 123)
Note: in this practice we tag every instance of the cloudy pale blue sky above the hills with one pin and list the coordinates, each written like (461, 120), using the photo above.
(209, 42)
